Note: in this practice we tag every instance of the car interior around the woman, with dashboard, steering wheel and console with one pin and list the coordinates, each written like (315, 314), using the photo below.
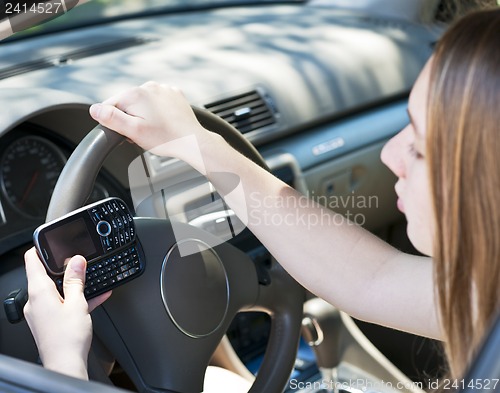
(312, 90)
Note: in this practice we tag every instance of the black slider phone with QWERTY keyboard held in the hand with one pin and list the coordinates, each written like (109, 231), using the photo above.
(103, 233)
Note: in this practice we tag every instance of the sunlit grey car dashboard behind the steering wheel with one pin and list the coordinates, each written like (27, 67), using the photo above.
(317, 89)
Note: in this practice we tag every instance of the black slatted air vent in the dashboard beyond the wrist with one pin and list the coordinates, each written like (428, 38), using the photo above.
(247, 111)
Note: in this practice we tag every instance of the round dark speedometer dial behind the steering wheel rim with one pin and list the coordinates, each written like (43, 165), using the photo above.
(29, 169)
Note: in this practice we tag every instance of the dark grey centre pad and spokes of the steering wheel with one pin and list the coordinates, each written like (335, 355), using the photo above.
(181, 307)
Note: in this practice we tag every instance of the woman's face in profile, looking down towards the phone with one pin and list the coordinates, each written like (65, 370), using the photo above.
(405, 155)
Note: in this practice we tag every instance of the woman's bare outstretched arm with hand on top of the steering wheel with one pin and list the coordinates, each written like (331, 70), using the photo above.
(327, 254)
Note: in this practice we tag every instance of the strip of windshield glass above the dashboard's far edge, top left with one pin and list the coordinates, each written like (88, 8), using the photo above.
(90, 12)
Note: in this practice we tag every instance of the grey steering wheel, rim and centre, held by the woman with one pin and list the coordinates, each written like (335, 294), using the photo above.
(164, 326)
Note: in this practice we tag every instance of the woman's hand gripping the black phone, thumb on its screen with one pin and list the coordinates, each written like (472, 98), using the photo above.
(62, 329)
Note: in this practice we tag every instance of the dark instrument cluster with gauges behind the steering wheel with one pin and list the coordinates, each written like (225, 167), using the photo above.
(31, 160)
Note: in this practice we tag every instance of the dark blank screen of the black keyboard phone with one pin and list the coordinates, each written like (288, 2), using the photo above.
(72, 238)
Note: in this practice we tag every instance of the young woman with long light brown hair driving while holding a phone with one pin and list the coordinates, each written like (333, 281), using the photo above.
(448, 182)
